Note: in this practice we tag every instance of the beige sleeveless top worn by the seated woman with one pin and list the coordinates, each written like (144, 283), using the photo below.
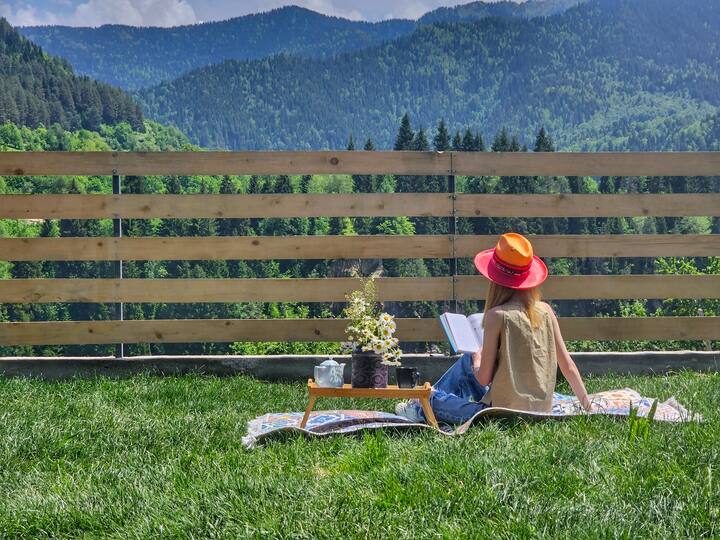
(526, 366)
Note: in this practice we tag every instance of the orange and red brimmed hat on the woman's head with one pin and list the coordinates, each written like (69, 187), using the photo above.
(511, 263)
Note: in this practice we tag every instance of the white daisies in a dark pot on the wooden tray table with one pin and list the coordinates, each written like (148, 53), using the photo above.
(370, 336)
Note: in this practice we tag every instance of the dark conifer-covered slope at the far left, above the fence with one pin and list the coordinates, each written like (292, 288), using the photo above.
(39, 89)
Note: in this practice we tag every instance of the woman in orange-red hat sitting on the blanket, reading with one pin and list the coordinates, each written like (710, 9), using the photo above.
(522, 345)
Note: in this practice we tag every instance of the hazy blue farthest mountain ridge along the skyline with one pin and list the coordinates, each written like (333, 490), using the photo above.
(134, 58)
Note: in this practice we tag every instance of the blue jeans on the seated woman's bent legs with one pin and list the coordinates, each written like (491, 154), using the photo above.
(456, 395)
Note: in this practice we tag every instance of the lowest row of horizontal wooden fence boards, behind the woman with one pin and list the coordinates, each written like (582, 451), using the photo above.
(228, 330)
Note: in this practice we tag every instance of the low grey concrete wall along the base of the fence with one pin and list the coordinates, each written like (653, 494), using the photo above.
(300, 367)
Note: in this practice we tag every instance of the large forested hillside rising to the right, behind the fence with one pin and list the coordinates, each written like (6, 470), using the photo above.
(608, 74)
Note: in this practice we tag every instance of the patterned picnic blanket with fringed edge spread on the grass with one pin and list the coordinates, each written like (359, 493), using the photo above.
(323, 423)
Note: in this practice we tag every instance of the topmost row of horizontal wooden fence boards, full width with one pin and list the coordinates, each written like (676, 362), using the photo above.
(328, 162)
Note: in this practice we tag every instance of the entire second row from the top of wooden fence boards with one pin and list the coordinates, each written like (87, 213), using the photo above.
(354, 205)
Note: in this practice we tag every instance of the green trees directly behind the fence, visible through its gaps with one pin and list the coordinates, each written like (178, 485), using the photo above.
(407, 138)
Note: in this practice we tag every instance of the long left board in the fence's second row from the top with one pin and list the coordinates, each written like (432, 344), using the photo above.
(225, 206)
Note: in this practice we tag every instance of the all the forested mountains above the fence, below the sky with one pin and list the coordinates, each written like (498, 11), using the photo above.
(598, 74)
